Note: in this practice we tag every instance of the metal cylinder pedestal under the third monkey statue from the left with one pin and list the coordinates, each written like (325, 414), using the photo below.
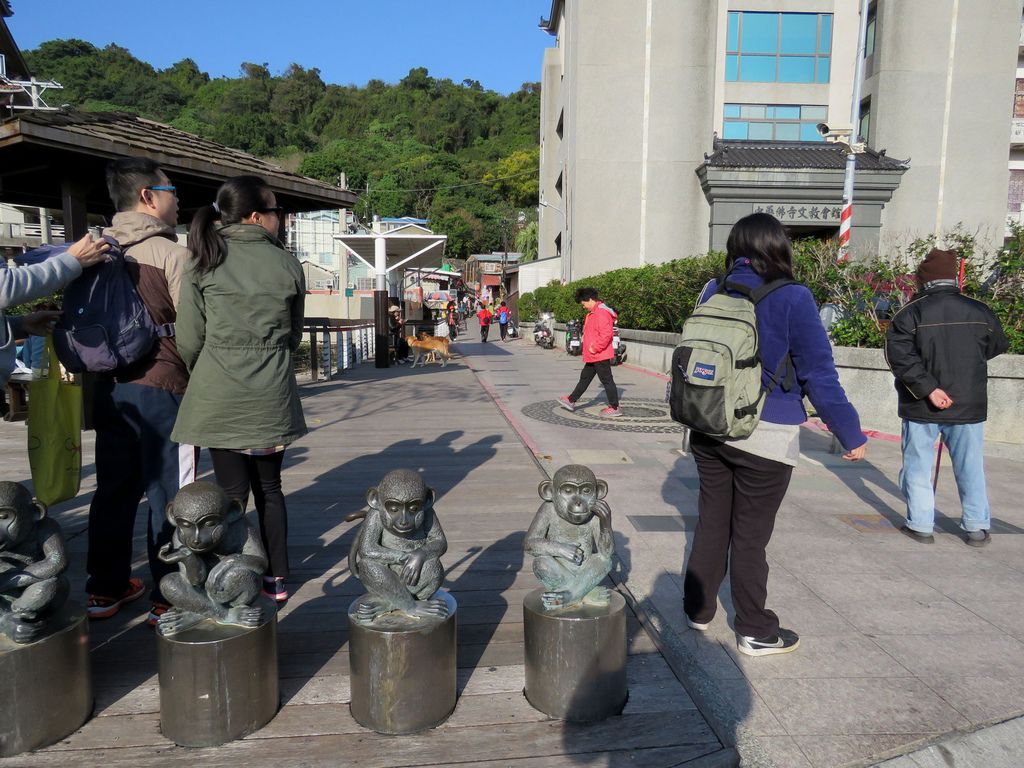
(404, 680)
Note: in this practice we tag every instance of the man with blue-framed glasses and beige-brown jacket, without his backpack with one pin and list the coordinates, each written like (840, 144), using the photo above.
(136, 407)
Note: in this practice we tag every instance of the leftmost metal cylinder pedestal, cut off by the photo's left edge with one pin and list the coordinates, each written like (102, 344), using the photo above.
(46, 687)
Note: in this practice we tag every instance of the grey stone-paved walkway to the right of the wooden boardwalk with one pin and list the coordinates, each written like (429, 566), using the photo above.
(903, 644)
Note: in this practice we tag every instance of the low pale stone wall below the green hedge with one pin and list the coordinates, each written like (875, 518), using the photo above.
(869, 383)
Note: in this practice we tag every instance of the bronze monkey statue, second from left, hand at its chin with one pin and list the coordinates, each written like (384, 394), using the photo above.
(221, 562)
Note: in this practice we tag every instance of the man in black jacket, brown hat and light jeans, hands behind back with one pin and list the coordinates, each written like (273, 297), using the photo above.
(938, 348)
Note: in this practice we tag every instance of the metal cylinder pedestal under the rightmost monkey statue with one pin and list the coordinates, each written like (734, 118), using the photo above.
(576, 659)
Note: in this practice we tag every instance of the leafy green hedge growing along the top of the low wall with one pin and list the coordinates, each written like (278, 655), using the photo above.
(660, 297)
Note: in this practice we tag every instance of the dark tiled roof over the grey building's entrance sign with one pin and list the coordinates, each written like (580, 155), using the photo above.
(797, 155)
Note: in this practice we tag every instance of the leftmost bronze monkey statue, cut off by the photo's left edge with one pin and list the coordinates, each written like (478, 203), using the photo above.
(33, 560)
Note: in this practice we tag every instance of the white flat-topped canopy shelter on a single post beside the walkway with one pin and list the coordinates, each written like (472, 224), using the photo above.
(408, 247)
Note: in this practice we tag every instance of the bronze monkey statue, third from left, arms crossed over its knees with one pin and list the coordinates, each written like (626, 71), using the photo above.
(397, 554)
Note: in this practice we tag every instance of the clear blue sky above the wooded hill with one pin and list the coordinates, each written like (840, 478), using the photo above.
(496, 42)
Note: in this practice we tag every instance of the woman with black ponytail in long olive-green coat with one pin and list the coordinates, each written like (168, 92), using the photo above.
(239, 324)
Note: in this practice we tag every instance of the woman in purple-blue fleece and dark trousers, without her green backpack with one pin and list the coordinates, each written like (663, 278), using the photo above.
(744, 482)
